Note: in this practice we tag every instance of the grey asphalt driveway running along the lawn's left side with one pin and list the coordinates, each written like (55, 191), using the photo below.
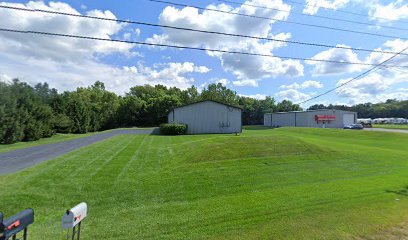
(19, 159)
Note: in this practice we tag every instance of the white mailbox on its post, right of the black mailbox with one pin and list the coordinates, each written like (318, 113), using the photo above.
(74, 217)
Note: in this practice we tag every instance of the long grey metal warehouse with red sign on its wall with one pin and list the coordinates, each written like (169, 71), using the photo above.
(323, 118)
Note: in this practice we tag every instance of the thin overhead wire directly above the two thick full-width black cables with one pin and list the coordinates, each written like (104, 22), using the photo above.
(280, 20)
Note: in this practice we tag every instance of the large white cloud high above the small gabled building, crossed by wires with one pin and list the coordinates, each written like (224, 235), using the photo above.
(248, 69)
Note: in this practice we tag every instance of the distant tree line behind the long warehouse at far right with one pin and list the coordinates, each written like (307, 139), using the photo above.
(388, 109)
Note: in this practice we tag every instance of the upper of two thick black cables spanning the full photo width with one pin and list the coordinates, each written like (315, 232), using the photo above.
(197, 30)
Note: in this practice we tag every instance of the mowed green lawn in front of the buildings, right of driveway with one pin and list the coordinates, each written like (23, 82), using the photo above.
(264, 184)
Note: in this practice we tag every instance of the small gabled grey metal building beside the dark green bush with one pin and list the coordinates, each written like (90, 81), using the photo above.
(208, 117)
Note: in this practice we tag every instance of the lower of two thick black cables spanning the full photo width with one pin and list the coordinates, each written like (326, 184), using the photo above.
(185, 47)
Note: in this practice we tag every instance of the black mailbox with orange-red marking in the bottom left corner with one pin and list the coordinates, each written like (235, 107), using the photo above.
(17, 223)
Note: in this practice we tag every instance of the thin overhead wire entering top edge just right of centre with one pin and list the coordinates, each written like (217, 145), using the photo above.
(315, 16)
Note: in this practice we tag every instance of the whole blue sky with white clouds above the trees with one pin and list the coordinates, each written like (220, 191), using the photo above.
(67, 63)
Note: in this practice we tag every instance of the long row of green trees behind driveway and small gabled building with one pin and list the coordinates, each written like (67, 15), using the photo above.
(29, 113)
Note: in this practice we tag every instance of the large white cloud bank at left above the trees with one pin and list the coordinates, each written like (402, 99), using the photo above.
(66, 63)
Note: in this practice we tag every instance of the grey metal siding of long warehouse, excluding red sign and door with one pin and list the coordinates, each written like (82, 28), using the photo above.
(306, 119)
